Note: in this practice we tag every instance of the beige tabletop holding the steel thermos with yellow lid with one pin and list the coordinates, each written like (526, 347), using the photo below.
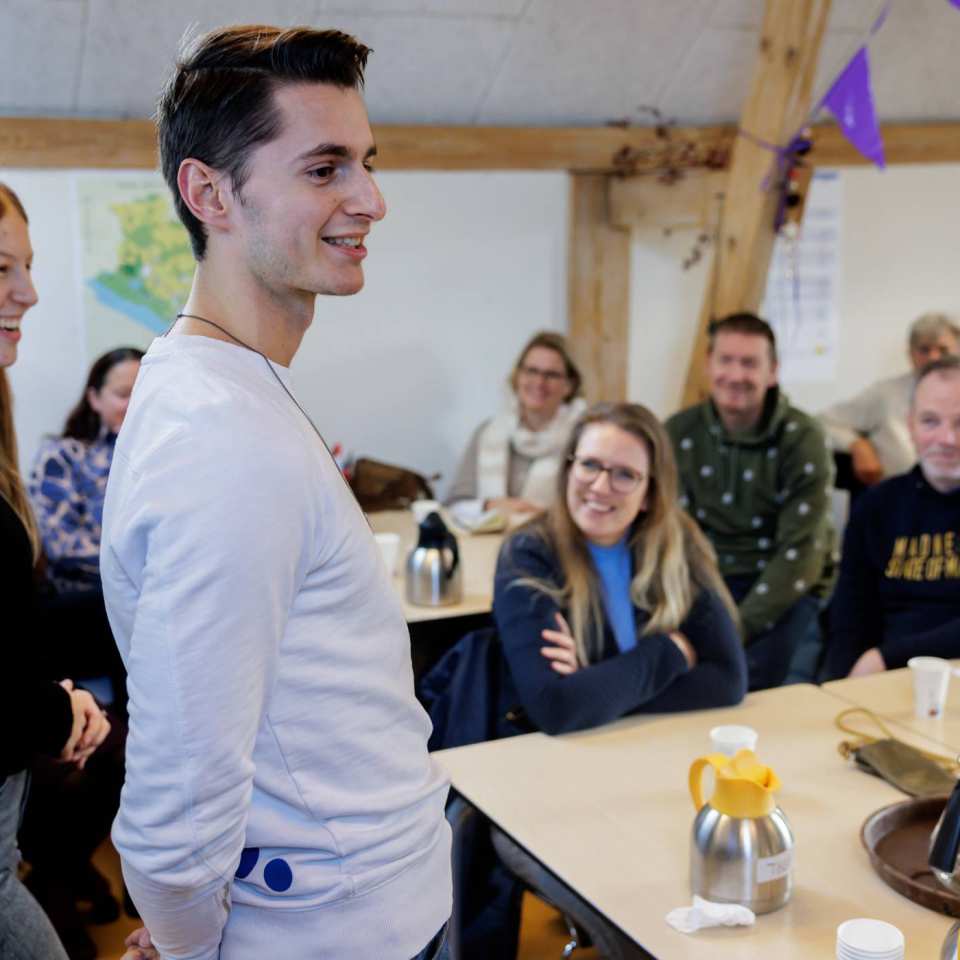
(608, 812)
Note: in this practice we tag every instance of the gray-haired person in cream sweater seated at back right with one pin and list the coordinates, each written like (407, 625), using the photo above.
(872, 426)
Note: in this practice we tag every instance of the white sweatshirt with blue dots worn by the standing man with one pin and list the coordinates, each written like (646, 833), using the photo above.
(271, 691)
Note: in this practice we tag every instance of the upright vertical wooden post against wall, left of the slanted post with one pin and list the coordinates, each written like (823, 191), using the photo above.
(599, 290)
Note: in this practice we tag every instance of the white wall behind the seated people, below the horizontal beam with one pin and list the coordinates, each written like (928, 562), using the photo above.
(467, 265)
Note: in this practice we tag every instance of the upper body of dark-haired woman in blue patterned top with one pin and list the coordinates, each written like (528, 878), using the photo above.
(69, 477)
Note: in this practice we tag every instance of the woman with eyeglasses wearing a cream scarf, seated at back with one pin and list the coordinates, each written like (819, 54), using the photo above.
(511, 462)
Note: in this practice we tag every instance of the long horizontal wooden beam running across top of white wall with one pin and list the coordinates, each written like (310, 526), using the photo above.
(71, 143)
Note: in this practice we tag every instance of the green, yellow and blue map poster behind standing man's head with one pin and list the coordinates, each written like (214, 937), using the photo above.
(134, 258)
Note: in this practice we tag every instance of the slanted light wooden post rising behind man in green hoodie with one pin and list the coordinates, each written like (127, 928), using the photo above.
(778, 103)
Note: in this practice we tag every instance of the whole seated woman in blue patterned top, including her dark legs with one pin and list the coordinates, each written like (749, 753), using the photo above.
(67, 488)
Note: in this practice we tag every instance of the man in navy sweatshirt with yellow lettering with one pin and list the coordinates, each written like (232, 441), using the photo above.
(899, 590)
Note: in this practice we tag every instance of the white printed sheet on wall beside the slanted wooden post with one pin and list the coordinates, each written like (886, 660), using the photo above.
(803, 287)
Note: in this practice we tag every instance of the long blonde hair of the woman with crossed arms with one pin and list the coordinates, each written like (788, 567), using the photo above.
(673, 560)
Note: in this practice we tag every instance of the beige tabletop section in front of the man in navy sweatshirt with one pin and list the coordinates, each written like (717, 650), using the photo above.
(890, 696)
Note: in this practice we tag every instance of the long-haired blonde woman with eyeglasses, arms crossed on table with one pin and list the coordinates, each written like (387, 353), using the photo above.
(611, 603)
